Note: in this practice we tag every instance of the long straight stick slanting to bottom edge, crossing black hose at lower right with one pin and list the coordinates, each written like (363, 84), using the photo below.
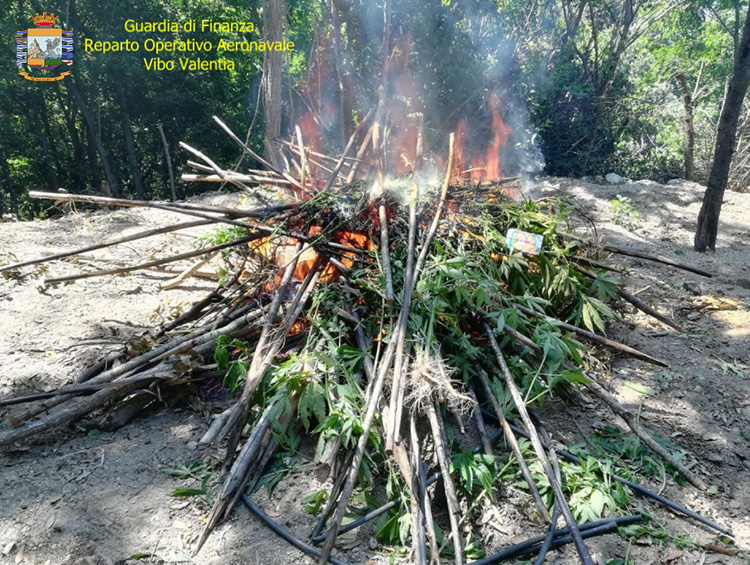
(536, 442)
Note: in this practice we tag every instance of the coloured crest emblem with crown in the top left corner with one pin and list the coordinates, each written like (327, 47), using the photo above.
(44, 53)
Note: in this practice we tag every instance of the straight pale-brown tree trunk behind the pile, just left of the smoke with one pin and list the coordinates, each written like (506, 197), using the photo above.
(273, 31)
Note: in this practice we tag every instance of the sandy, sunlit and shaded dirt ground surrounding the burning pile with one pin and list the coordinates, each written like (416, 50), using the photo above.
(83, 498)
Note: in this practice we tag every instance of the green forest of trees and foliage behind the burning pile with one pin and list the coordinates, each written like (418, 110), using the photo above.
(589, 86)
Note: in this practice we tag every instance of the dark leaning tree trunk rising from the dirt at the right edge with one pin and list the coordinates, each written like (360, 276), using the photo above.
(708, 218)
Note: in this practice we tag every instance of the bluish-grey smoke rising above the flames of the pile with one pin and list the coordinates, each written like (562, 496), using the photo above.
(449, 62)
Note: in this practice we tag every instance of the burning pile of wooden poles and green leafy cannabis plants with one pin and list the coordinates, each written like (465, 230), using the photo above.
(365, 310)
